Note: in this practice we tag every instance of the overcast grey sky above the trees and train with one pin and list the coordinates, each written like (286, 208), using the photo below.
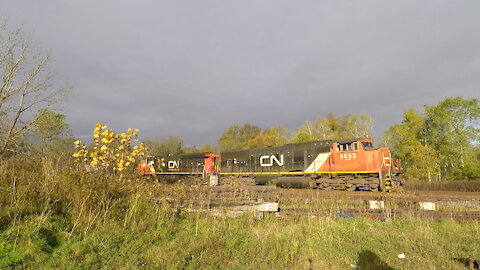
(193, 68)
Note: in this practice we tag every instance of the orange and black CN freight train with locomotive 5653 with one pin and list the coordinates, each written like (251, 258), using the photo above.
(341, 165)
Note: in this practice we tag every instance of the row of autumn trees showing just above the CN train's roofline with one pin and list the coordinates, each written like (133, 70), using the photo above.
(249, 136)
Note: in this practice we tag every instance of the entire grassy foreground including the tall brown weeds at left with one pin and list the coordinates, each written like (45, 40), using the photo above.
(57, 216)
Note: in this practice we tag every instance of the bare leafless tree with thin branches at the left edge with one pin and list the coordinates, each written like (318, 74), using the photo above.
(25, 86)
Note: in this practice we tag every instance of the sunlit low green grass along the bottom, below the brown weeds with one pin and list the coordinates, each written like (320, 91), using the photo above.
(202, 242)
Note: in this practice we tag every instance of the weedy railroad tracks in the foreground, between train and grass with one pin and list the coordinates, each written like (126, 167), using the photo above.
(461, 206)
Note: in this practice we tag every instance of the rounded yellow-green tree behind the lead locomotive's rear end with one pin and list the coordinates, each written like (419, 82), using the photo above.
(236, 137)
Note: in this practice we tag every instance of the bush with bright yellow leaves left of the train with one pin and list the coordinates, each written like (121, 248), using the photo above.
(110, 151)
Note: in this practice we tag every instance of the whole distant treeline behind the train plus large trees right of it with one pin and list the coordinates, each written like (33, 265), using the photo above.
(439, 143)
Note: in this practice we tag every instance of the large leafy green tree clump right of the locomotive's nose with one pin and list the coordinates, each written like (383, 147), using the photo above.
(438, 144)
